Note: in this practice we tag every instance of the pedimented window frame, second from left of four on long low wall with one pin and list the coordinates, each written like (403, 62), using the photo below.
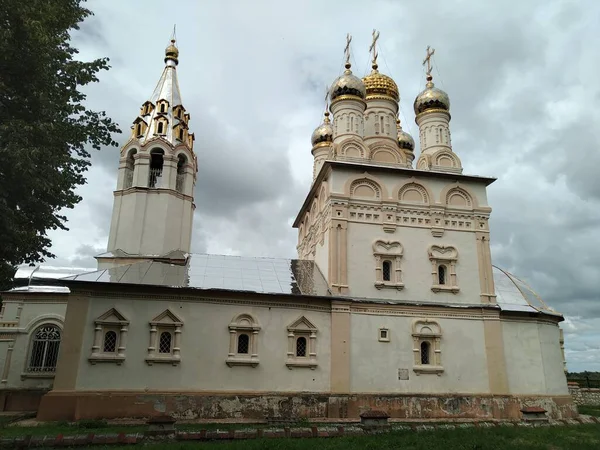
(165, 322)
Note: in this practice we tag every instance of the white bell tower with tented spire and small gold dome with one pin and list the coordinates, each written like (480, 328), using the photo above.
(154, 201)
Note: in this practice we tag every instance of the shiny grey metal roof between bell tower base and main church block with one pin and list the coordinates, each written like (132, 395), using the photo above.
(238, 273)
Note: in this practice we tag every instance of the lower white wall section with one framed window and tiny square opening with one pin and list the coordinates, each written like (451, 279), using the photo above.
(375, 365)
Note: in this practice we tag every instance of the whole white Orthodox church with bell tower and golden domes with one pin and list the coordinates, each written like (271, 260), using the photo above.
(393, 303)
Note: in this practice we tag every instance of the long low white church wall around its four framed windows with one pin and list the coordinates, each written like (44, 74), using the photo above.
(204, 346)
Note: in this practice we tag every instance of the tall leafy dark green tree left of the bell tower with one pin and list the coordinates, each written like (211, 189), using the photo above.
(46, 131)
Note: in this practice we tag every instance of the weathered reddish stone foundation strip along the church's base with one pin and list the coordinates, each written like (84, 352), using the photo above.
(74, 405)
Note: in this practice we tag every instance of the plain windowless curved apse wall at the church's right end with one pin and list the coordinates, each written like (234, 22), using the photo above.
(533, 358)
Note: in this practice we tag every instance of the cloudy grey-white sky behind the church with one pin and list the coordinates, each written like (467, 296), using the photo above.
(522, 77)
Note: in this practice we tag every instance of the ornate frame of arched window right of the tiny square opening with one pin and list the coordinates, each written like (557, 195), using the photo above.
(427, 330)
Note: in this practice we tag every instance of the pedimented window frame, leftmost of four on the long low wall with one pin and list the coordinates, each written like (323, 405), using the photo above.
(111, 320)
